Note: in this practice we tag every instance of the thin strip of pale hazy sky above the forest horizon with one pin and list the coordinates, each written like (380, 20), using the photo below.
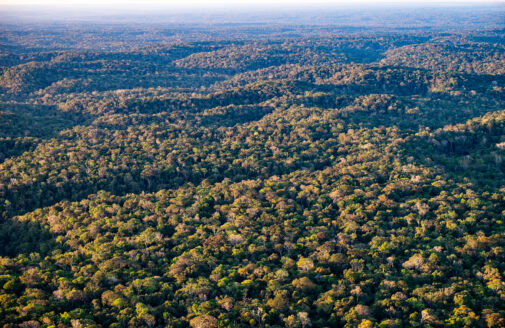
(218, 3)
